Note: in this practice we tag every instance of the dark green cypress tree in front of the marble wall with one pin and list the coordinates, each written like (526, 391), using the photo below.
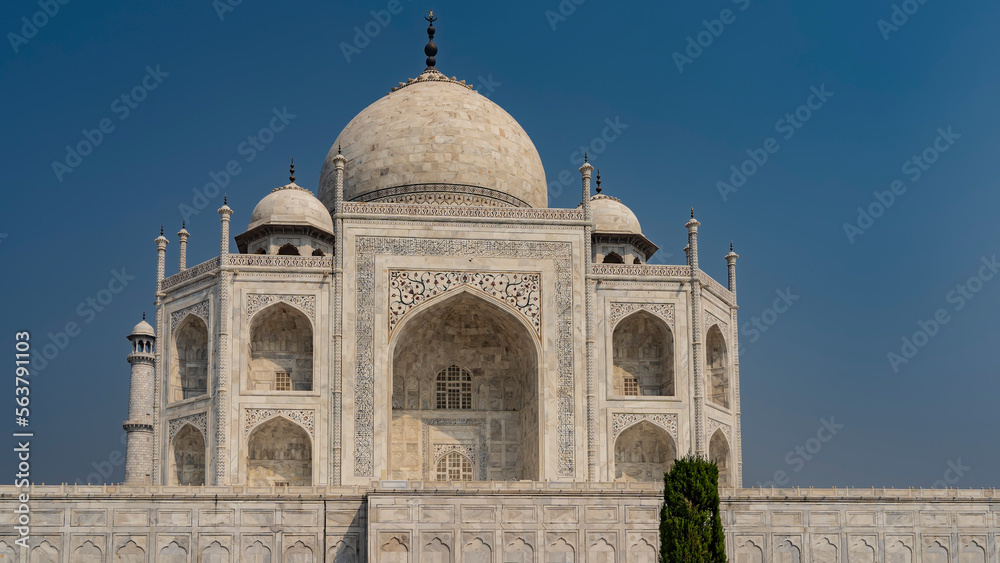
(690, 522)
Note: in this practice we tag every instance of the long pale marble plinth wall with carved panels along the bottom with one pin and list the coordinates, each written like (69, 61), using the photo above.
(493, 522)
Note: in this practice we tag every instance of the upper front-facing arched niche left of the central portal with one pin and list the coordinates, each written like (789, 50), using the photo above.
(281, 350)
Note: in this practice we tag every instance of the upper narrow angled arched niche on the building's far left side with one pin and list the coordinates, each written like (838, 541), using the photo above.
(189, 370)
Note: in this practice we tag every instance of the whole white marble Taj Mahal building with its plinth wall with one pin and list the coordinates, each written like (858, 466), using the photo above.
(418, 360)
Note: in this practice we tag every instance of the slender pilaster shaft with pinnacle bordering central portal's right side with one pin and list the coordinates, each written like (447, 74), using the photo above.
(588, 254)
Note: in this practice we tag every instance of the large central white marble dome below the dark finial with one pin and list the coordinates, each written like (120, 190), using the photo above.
(436, 140)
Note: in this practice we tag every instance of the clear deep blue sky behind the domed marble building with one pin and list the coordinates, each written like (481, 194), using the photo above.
(887, 92)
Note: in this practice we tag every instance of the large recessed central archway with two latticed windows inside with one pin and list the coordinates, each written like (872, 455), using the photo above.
(464, 393)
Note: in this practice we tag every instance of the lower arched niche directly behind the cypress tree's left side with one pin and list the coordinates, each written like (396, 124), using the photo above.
(644, 452)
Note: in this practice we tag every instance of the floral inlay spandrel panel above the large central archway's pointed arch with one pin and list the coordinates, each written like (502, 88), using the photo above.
(408, 288)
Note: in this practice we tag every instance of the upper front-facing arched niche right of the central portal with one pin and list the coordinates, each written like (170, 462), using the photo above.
(642, 356)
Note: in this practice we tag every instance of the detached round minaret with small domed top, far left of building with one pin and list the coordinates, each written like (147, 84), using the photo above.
(139, 426)
